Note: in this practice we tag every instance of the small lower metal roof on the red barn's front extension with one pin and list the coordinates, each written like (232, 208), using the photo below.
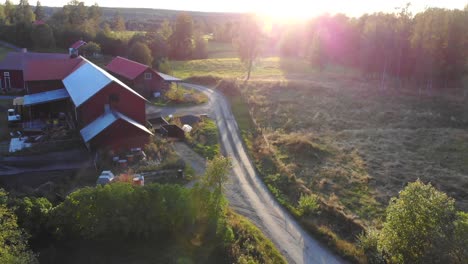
(104, 121)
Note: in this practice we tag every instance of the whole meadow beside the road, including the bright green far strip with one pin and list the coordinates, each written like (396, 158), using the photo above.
(333, 133)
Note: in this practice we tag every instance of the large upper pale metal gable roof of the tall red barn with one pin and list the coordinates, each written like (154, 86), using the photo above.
(89, 79)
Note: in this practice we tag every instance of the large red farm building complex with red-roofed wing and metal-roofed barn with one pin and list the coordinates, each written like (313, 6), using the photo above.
(107, 113)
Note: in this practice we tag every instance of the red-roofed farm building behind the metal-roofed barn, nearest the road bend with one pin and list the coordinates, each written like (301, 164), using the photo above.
(140, 77)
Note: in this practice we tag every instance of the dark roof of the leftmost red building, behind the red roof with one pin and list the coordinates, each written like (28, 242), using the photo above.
(19, 60)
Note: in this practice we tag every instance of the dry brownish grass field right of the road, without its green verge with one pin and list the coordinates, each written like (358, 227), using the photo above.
(356, 146)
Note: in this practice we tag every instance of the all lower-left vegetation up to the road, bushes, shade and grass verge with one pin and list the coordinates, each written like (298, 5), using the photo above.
(166, 223)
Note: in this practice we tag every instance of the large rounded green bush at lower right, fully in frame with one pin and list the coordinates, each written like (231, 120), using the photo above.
(419, 226)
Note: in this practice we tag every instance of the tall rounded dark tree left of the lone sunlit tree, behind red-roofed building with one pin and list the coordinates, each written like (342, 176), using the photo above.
(181, 41)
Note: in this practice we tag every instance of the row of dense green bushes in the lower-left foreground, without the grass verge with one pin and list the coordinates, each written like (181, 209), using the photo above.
(117, 212)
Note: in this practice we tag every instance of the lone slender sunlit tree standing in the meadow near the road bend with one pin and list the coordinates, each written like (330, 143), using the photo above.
(247, 42)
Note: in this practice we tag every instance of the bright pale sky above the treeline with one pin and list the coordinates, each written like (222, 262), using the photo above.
(283, 8)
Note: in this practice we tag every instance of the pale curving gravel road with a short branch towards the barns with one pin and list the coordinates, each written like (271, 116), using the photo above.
(246, 192)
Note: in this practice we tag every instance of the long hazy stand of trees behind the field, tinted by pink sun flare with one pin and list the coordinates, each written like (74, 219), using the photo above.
(429, 47)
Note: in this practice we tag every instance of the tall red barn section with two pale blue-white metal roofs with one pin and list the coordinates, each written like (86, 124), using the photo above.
(108, 112)
